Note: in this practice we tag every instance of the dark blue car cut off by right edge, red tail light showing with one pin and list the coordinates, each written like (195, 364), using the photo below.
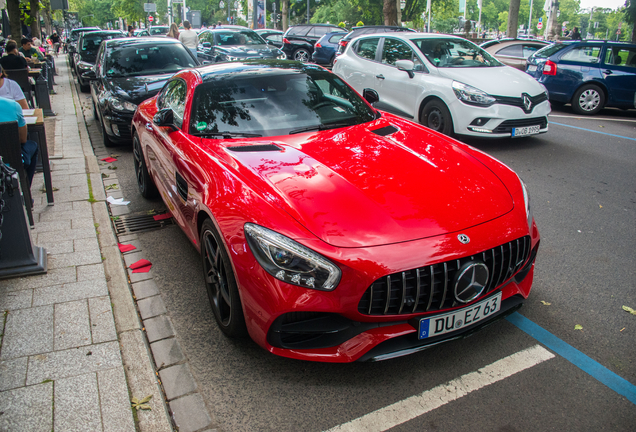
(589, 74)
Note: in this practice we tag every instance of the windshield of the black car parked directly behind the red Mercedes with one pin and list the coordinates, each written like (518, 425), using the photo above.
(136, 59)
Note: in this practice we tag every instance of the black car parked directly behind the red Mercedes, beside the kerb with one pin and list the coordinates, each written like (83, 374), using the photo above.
(127, 72)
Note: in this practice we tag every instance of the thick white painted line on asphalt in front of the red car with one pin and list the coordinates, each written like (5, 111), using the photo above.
(410, 408)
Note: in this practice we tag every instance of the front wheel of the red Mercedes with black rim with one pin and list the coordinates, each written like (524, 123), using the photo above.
(220, 283)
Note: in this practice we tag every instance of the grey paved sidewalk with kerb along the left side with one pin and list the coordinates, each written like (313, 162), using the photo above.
(73, 353)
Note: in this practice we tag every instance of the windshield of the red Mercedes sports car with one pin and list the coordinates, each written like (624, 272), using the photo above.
(276, 104)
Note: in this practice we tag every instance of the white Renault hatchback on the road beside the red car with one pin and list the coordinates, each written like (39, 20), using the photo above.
(447, 83)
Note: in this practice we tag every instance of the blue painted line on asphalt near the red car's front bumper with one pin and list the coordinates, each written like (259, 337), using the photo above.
(576, 357)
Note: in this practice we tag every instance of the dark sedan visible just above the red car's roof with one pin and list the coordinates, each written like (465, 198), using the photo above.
(222, 45)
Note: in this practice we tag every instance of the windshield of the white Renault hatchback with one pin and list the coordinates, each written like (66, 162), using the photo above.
(450, 53)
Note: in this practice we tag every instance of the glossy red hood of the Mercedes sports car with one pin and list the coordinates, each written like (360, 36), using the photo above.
(354, 188)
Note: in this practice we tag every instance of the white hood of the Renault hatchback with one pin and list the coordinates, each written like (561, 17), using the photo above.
(499, 81)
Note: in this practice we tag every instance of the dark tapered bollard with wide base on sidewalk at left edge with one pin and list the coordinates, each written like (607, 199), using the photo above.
(18, 256)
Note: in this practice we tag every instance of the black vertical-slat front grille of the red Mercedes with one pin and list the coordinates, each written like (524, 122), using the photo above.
(431, 288)
